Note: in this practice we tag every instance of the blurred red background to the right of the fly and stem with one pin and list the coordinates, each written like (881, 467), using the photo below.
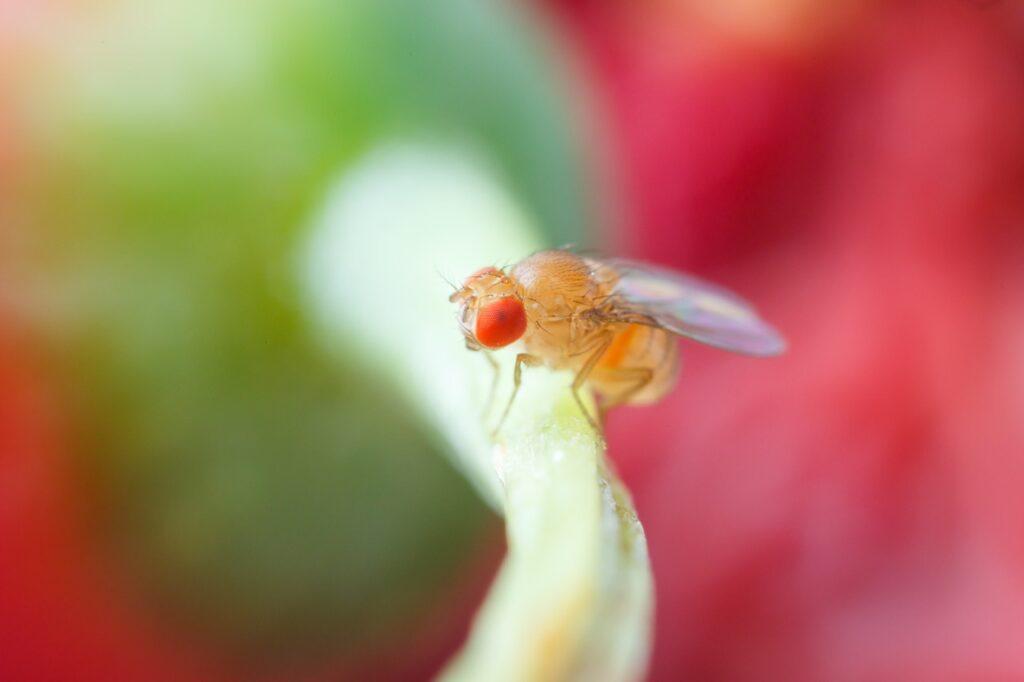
(856, 515)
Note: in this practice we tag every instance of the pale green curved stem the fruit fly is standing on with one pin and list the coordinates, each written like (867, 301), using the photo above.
(574, 599)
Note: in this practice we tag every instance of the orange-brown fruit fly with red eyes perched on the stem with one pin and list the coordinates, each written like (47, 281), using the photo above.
(614, 323)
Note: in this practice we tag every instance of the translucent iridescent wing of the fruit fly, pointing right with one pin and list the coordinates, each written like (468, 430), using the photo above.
(691, 308)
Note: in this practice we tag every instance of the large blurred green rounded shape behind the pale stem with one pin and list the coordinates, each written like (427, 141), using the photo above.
(269, 497)
